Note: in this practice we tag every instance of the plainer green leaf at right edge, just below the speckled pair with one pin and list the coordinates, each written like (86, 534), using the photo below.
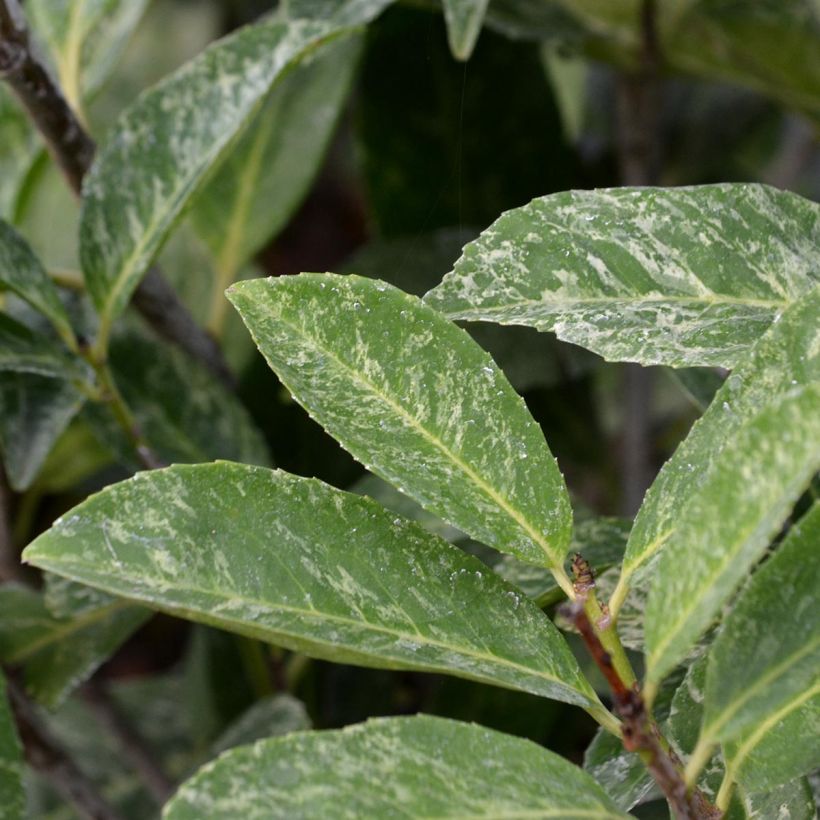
(771, 633)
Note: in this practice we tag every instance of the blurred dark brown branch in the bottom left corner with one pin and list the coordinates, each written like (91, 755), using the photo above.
(45, 754)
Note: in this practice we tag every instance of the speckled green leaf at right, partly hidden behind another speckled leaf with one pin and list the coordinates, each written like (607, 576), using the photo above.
(786, 356)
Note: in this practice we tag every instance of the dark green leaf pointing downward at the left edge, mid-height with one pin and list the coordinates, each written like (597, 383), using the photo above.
(34, 413)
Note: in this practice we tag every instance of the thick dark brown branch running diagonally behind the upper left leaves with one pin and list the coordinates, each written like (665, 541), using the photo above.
(73, 150)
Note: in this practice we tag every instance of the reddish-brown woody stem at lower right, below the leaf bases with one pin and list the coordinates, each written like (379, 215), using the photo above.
(640, 733)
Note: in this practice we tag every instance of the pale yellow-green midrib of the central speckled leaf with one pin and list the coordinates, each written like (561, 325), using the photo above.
(516, 515)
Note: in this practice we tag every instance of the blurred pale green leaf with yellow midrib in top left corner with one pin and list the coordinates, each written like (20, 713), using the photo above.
(84, 39)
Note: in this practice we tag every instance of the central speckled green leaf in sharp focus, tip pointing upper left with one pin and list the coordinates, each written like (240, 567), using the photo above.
(417, 401)
